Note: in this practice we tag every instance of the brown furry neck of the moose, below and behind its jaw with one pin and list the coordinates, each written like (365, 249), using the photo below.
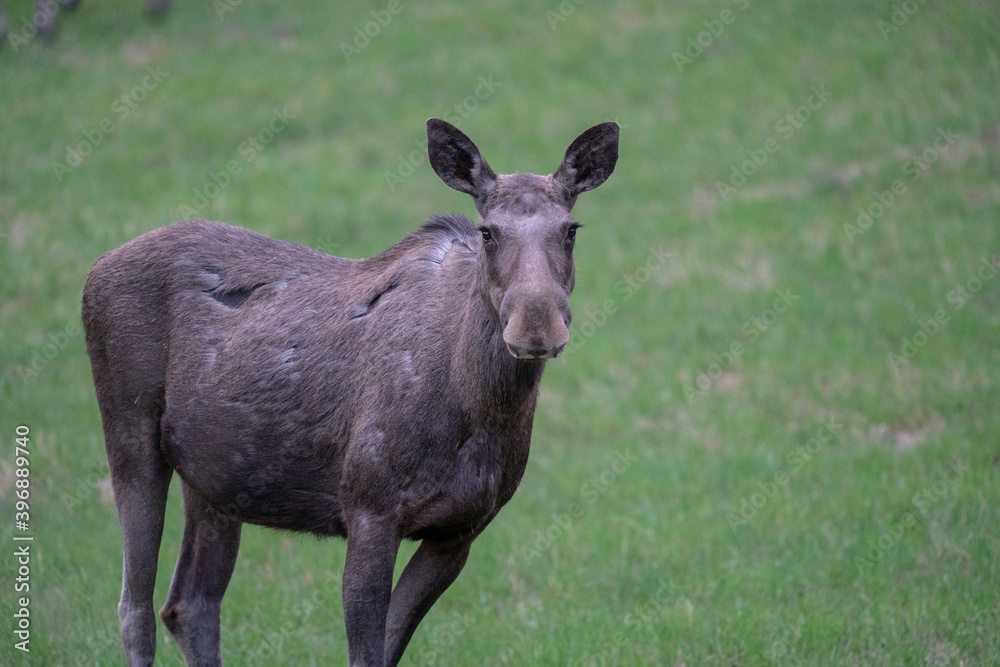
(491, 380)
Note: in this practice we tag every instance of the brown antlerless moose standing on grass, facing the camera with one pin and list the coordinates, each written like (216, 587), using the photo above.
(373, 399)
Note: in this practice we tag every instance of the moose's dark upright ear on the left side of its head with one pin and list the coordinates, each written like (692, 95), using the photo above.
(458, 162)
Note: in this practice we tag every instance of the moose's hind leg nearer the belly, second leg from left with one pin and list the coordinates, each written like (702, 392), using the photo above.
(208, 555)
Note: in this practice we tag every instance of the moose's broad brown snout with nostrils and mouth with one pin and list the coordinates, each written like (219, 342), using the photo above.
(537, 329)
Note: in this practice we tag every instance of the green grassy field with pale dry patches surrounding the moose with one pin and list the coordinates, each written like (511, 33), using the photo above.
(774, 439)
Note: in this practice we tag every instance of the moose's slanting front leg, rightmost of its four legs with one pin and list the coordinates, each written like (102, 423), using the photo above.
(433, 567)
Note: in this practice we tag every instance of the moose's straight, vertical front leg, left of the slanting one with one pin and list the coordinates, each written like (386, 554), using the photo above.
(372, 545)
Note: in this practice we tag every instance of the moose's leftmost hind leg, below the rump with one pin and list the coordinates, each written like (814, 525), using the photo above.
(140, 480)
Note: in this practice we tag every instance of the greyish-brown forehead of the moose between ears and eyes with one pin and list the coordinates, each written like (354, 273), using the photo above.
(519, 197)
